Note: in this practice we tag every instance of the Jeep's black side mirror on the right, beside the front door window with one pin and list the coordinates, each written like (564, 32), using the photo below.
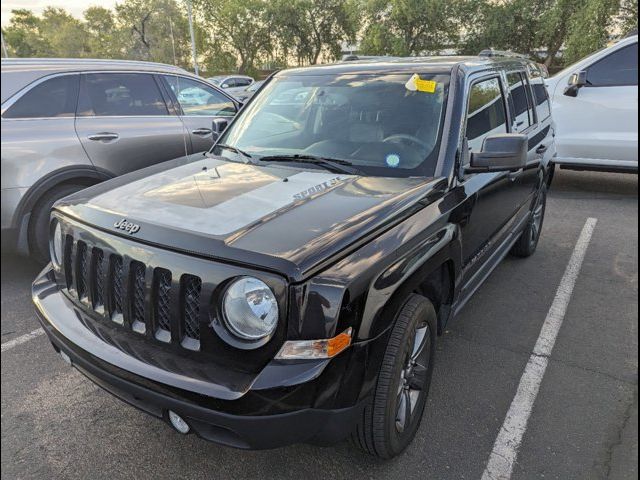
(505, 152)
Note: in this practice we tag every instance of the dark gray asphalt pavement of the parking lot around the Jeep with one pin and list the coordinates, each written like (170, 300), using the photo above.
(584, 423)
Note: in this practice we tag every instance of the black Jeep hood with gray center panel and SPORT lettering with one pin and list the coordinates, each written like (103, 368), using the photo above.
(273, 217)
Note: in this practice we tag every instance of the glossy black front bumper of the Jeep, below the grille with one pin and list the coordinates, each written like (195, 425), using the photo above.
(205, 415)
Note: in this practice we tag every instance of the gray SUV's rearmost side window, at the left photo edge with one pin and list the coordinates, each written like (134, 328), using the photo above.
(55, 97)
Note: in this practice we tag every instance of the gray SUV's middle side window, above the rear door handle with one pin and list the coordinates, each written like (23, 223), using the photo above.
(120, 94)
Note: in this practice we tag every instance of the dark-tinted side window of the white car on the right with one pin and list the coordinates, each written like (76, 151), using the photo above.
(618, 69)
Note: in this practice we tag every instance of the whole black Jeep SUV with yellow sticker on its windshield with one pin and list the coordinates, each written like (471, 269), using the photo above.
(289, 284)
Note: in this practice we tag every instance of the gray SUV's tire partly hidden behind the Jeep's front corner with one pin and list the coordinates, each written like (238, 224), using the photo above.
(39, 222)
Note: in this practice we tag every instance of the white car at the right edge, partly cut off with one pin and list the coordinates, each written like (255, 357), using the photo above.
(595, 107)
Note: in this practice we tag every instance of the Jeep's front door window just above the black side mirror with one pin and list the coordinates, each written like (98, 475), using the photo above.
(486, 113)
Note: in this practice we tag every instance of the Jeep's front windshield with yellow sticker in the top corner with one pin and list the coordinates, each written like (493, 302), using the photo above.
(381, 124)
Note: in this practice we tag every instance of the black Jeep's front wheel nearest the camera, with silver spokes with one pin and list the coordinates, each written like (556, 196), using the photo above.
(383, 429)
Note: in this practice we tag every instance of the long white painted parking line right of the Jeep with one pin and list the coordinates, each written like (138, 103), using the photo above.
(505, 449)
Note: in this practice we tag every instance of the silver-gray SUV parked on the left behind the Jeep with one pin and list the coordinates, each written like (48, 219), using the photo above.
(68, 124)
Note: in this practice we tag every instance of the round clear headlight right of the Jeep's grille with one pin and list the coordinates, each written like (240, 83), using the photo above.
(250, 309)
